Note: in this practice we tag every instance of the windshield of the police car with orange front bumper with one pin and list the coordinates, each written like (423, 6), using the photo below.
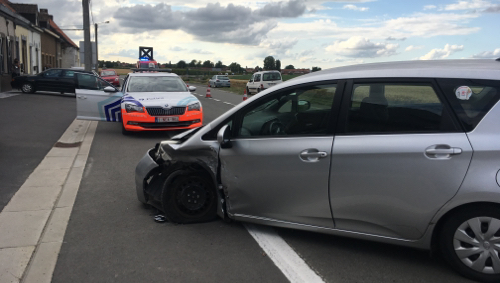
(156, 84)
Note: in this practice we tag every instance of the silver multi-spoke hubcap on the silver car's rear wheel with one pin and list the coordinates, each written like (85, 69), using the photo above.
(477, 244)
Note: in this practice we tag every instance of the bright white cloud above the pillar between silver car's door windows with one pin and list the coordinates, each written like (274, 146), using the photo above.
(360, 47)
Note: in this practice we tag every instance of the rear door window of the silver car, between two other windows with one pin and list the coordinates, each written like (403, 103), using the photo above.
(396, 108)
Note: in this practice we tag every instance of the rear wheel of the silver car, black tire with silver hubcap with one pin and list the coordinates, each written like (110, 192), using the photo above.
(455, 234)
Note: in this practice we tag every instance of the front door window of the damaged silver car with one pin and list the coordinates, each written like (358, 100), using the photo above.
(300, 111)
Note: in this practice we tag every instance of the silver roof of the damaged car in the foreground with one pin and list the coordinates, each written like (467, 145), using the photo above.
(462, 68)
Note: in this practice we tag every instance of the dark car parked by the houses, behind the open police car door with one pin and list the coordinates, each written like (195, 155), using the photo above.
(58, 80)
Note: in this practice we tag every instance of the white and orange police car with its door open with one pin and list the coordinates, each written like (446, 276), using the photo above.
(148, 101)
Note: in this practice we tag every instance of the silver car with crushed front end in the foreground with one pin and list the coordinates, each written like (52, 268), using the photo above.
(403, 152)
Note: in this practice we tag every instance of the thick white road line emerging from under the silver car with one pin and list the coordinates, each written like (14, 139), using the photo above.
(286, 259)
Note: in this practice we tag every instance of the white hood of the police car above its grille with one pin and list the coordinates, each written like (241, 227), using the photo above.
(160, 98)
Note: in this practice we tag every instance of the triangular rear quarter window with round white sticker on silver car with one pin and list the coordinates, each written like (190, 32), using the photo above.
(471, 99)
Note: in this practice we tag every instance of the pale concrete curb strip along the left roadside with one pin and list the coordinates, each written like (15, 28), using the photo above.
(33, 223)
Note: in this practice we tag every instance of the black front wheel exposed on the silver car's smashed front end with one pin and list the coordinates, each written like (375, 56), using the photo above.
(190, 198)
